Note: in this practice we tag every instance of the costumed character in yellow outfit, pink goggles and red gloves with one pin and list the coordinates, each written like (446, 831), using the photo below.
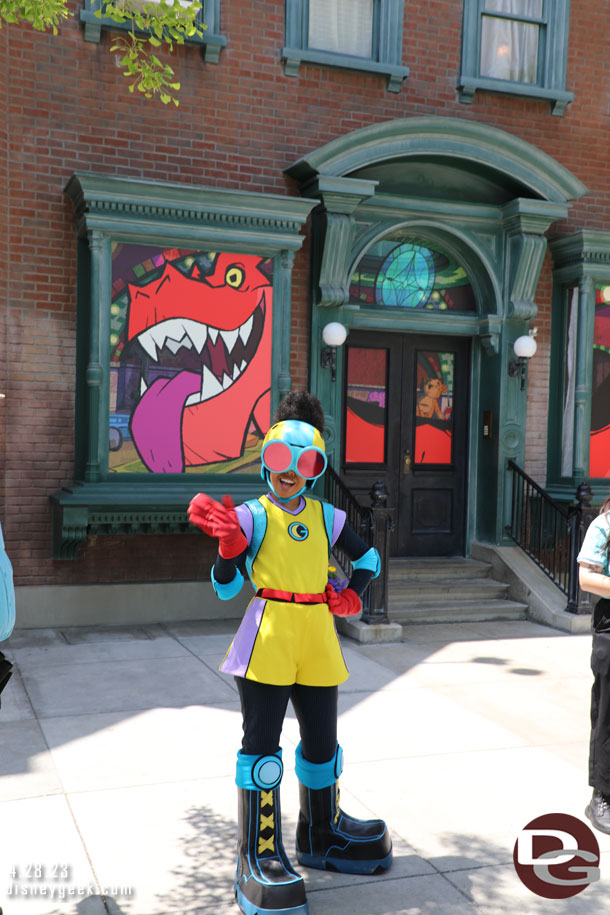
(287, 648)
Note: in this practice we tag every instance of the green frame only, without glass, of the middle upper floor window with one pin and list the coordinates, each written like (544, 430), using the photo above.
(386, 59)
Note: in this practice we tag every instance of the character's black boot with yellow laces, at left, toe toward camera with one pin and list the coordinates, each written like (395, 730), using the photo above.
(265, 882)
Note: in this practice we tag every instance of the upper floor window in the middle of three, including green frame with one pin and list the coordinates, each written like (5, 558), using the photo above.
(351, 34)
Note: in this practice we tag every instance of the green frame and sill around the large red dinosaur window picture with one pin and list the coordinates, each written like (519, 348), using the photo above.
(116, 211)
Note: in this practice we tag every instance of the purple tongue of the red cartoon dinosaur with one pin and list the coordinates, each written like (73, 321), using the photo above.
(156, 424)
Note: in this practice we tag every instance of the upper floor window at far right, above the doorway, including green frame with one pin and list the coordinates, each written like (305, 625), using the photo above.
(516, 46)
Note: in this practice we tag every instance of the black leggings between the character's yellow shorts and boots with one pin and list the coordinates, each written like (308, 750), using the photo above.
(263, 710)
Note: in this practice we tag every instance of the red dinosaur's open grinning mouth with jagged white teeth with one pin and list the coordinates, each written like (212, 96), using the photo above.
(220, 356)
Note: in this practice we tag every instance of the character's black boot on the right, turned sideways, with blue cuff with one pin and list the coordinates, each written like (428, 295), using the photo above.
(329, 839)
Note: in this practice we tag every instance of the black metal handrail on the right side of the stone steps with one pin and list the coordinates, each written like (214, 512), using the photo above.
(550, 534)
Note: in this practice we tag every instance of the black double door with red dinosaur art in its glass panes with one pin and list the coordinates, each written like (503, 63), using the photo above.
(405, 422)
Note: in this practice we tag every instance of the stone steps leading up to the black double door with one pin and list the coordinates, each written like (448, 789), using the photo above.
(450, 589)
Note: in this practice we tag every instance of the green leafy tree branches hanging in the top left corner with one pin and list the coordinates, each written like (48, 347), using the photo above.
(152, 24)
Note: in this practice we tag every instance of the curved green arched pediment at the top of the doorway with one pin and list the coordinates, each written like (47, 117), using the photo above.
(454, 138)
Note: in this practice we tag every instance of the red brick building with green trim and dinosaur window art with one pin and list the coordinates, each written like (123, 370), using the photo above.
(432, 176)
